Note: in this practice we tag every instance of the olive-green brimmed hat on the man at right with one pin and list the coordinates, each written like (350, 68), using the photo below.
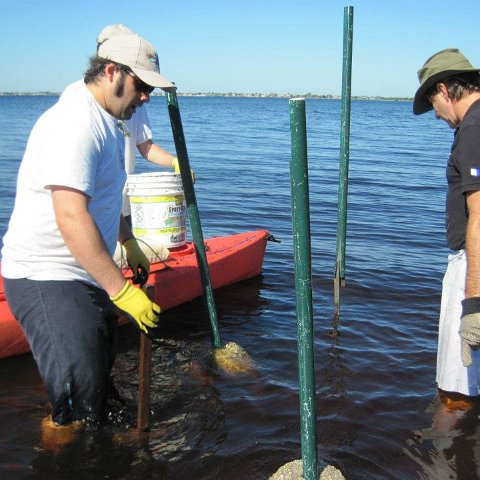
(438, 67)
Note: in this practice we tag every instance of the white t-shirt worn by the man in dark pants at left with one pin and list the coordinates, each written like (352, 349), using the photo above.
(76, 144)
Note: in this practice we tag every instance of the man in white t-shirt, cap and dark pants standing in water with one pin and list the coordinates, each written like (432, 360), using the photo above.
(60, 280)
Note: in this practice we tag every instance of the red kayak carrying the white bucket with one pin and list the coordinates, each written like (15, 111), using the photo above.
(177, 279)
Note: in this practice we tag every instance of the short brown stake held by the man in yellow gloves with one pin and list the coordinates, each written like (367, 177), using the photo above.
(144, 373)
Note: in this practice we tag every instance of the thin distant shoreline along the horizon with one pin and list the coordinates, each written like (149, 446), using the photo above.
(231, 94)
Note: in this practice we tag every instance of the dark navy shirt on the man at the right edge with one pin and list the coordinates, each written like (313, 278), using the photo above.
(463, 175)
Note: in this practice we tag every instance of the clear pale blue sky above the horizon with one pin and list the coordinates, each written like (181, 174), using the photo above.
(283, 46)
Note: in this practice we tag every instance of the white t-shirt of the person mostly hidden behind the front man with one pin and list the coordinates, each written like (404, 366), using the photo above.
(136, 130)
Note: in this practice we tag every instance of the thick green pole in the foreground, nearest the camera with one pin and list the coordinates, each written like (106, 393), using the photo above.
(303, 286)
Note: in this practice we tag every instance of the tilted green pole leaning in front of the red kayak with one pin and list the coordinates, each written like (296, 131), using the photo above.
(192, 210)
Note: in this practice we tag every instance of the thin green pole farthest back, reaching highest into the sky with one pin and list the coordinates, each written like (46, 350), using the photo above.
(339, 276)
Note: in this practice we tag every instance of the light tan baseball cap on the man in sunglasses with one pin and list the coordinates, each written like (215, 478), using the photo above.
(138, 54)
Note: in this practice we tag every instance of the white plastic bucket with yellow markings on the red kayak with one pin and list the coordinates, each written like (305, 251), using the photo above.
(158, 208)
